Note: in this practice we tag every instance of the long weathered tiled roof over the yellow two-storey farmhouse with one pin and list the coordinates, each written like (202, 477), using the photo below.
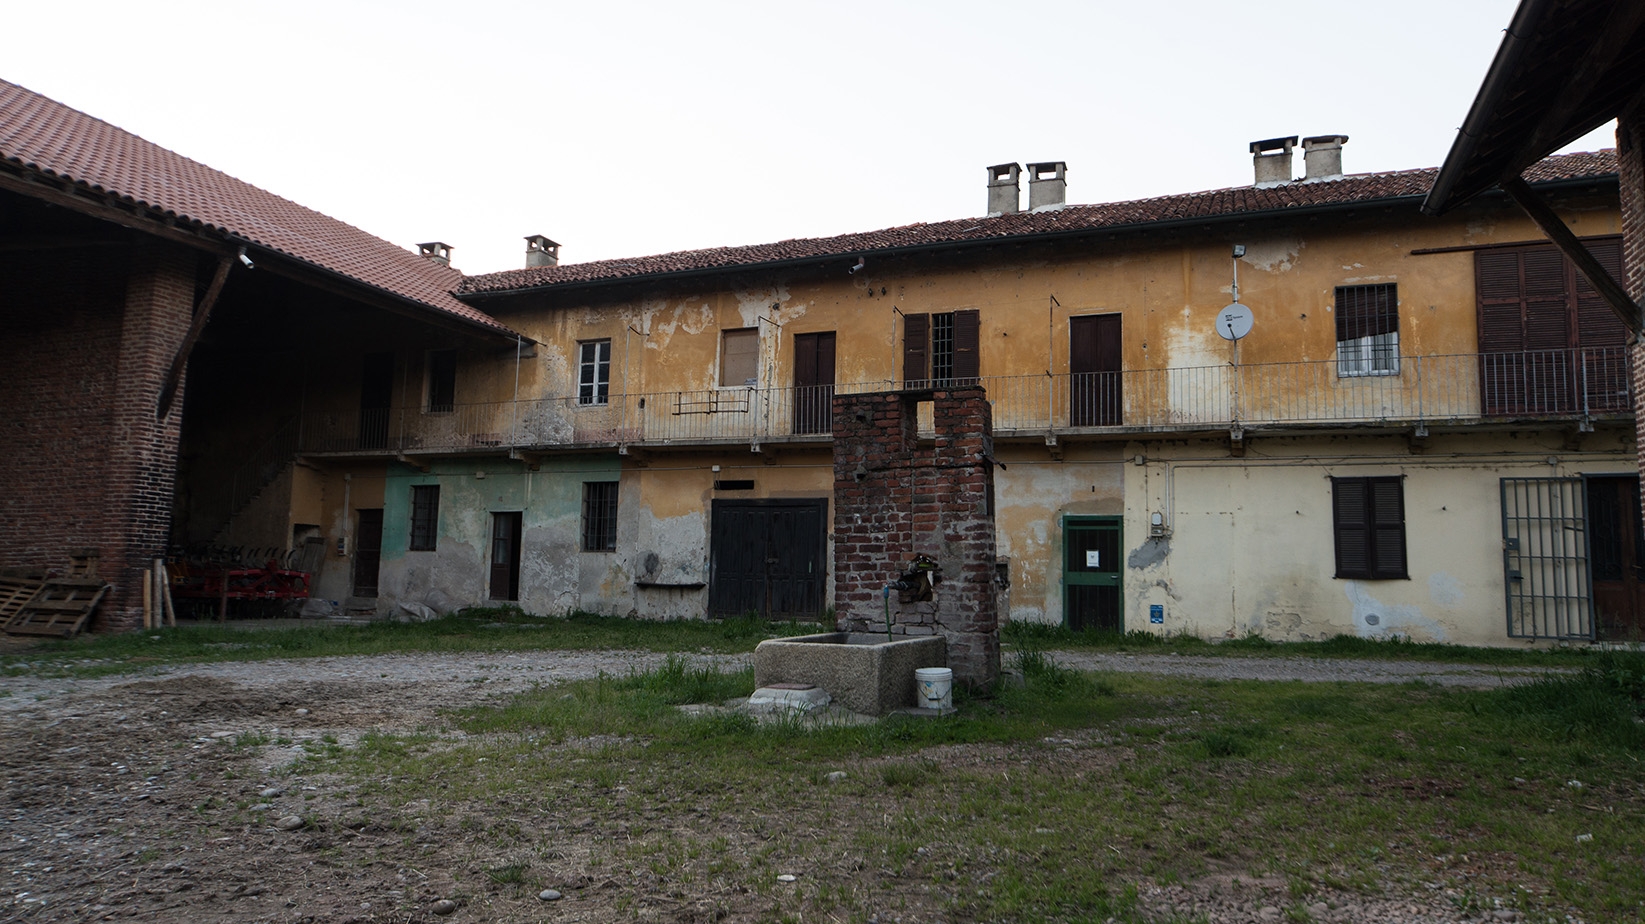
(1070, 219)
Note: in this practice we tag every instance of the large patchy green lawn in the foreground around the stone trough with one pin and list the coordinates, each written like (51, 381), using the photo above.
(1060, 800)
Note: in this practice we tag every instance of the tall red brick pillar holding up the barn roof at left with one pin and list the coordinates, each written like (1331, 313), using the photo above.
(142, 466)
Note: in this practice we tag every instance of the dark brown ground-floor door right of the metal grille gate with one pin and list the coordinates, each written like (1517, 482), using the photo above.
(1616, 553)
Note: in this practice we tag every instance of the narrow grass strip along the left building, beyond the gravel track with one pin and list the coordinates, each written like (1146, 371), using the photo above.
(489, 629)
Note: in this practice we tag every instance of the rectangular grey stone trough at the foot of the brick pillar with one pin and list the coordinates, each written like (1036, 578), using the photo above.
(864, 673)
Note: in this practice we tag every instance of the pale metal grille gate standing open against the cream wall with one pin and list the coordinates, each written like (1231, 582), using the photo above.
(1545, 558)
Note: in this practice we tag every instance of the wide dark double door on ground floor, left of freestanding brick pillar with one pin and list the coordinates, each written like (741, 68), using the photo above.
(769, 558)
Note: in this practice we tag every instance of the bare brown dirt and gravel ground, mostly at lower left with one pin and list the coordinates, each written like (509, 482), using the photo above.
(127, 798)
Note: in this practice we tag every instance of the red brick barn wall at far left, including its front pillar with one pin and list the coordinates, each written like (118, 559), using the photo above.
(86, 340)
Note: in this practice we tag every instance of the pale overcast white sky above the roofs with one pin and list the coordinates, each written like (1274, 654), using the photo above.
(624, 129)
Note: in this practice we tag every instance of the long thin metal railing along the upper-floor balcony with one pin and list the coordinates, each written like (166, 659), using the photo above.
(1417, 390)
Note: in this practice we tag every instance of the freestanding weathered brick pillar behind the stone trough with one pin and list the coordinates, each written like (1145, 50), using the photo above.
(896, 501)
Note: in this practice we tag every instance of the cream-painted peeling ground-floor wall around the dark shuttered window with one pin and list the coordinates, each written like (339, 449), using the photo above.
(1251, 540)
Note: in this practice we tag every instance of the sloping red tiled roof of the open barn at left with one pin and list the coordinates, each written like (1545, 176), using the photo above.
(49, 137)
